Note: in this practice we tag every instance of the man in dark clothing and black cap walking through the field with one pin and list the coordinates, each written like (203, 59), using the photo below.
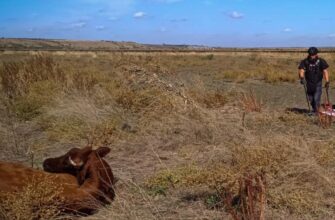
(311, 72)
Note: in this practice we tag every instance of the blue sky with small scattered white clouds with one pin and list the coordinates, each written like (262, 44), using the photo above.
(226, 23)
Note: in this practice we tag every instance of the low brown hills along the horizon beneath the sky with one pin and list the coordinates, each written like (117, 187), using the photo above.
(103, 45)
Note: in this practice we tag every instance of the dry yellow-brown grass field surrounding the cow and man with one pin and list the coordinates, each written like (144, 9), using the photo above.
(184, 129)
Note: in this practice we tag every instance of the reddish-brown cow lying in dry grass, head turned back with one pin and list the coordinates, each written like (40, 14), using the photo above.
(85, 186)
